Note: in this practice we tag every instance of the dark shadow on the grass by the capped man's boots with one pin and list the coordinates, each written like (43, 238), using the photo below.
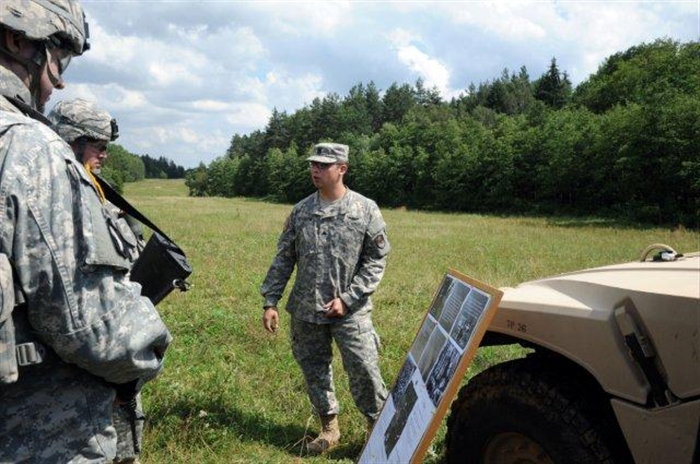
(211, 421)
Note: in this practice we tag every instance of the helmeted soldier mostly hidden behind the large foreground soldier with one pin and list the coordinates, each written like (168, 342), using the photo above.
(88, 129)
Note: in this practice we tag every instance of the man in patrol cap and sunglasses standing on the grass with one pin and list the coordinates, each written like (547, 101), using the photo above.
(337, 240)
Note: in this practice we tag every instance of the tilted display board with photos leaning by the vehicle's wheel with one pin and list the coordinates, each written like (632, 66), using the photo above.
(446, 342)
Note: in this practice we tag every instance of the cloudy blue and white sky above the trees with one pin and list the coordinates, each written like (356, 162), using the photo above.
(182, 77)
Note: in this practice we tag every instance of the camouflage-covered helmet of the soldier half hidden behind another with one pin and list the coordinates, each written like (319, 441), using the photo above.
(77, 118)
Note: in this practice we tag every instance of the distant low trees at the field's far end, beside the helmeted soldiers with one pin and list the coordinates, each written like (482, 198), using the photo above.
(123, 166)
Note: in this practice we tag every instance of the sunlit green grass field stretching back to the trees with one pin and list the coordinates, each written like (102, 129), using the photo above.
(231, 393)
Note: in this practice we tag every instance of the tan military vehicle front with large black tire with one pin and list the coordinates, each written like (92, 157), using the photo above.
(614, 375)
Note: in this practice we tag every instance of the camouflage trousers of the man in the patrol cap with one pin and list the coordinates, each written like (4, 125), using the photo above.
(359, 348)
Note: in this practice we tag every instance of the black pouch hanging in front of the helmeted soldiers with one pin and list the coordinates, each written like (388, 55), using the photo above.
(161, 268)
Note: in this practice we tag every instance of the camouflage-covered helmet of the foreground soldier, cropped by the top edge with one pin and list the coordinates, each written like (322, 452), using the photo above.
(58, 20)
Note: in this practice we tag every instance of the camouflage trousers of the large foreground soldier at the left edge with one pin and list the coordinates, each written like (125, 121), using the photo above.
(56, 412)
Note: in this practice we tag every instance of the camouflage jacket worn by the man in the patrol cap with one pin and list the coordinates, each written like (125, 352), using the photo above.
(339, 251)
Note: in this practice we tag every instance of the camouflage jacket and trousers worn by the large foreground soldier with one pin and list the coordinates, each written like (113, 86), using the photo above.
(95, 329)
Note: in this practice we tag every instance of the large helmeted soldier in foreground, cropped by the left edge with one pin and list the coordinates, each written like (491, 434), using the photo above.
(79, 336)
